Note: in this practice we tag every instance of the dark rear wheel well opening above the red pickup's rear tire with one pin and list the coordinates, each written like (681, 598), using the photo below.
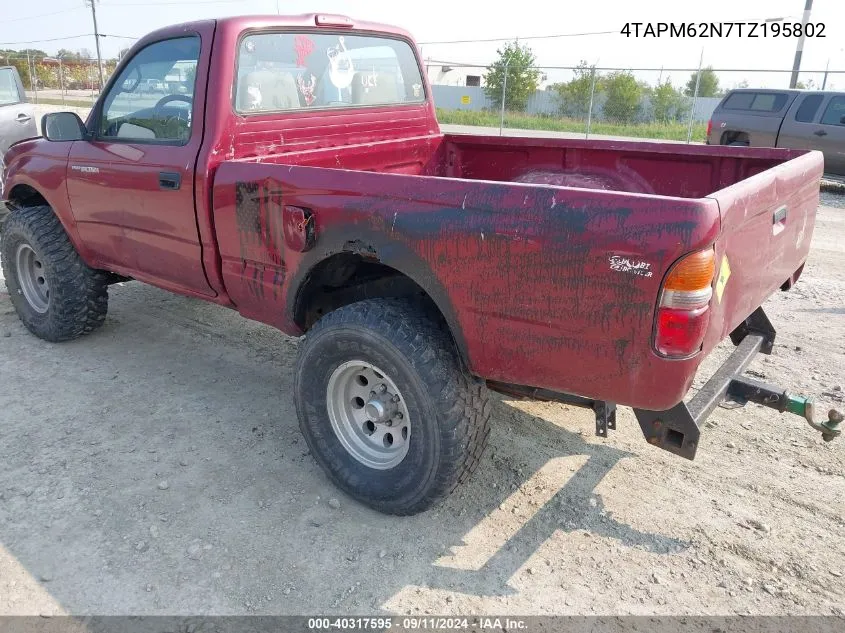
(346, 277)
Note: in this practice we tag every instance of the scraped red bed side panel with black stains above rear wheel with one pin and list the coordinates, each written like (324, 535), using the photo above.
(542, 286)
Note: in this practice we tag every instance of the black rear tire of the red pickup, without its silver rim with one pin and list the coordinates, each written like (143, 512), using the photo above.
(449, 408)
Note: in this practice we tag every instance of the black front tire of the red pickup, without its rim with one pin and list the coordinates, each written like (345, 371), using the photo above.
(78, 299)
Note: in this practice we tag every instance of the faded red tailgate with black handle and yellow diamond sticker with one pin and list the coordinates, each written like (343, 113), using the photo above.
(767, 224)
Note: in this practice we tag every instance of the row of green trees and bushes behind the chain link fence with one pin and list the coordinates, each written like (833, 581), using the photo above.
(622, 95)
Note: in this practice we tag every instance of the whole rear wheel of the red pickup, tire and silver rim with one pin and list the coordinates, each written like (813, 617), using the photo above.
(387, 408)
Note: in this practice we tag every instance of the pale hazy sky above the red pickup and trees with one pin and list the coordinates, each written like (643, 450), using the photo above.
(439, 20)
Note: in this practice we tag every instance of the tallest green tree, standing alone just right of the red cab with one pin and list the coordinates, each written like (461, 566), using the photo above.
(522, 77)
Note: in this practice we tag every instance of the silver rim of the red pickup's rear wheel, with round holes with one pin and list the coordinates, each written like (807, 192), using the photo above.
(368, 414)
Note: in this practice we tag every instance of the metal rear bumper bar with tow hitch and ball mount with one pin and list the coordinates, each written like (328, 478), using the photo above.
(678, 429)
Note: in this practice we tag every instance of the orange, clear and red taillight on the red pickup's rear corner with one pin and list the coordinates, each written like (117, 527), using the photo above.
(684, 313)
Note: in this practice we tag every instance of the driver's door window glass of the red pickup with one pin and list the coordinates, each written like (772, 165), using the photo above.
(152, 98)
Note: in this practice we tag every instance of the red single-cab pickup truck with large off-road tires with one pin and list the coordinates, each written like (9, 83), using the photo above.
(295, 172)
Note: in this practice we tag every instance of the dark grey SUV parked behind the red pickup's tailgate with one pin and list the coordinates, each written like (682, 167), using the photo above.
(783, 118)
